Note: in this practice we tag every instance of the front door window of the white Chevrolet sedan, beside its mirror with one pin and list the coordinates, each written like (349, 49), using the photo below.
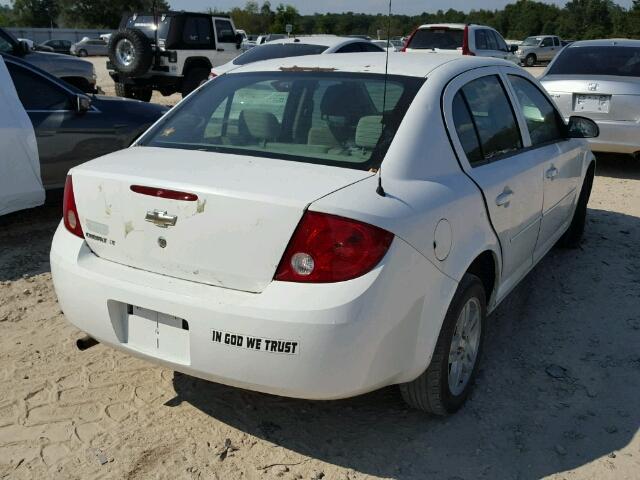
(543, 121)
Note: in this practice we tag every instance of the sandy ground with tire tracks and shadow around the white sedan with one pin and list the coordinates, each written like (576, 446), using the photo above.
(558, 394)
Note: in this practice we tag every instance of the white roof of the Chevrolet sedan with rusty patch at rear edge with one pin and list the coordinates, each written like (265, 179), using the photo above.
(407, 64)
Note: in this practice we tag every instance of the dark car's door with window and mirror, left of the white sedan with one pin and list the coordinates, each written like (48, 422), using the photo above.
(65, 136)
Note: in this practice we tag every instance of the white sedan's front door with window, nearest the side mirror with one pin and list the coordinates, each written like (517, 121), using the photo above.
(562, 158)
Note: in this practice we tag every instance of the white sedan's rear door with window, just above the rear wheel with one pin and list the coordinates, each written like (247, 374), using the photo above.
(488, 139)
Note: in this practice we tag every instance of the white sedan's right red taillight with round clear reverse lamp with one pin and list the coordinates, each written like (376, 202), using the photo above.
(327, 248)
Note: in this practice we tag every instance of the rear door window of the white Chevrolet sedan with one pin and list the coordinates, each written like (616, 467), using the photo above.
(493, 118)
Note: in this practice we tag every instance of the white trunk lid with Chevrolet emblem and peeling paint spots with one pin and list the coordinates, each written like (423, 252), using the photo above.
(229, 227)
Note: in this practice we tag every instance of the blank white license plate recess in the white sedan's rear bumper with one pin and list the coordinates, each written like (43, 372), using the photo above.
(157, 334)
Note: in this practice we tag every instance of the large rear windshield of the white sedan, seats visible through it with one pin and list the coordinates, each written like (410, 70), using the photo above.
(314, 117)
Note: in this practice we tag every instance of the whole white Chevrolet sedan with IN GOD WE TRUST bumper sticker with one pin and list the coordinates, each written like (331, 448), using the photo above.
(292, 229)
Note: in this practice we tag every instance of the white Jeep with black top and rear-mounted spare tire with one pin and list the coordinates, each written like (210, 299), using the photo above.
(188, 45)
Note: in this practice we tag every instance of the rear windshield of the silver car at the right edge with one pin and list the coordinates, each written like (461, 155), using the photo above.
(621, 61)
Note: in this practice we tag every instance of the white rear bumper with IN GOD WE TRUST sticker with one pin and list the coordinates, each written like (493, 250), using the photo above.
(352, 337)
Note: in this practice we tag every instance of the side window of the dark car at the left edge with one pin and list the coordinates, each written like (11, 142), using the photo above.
(36, 92)
